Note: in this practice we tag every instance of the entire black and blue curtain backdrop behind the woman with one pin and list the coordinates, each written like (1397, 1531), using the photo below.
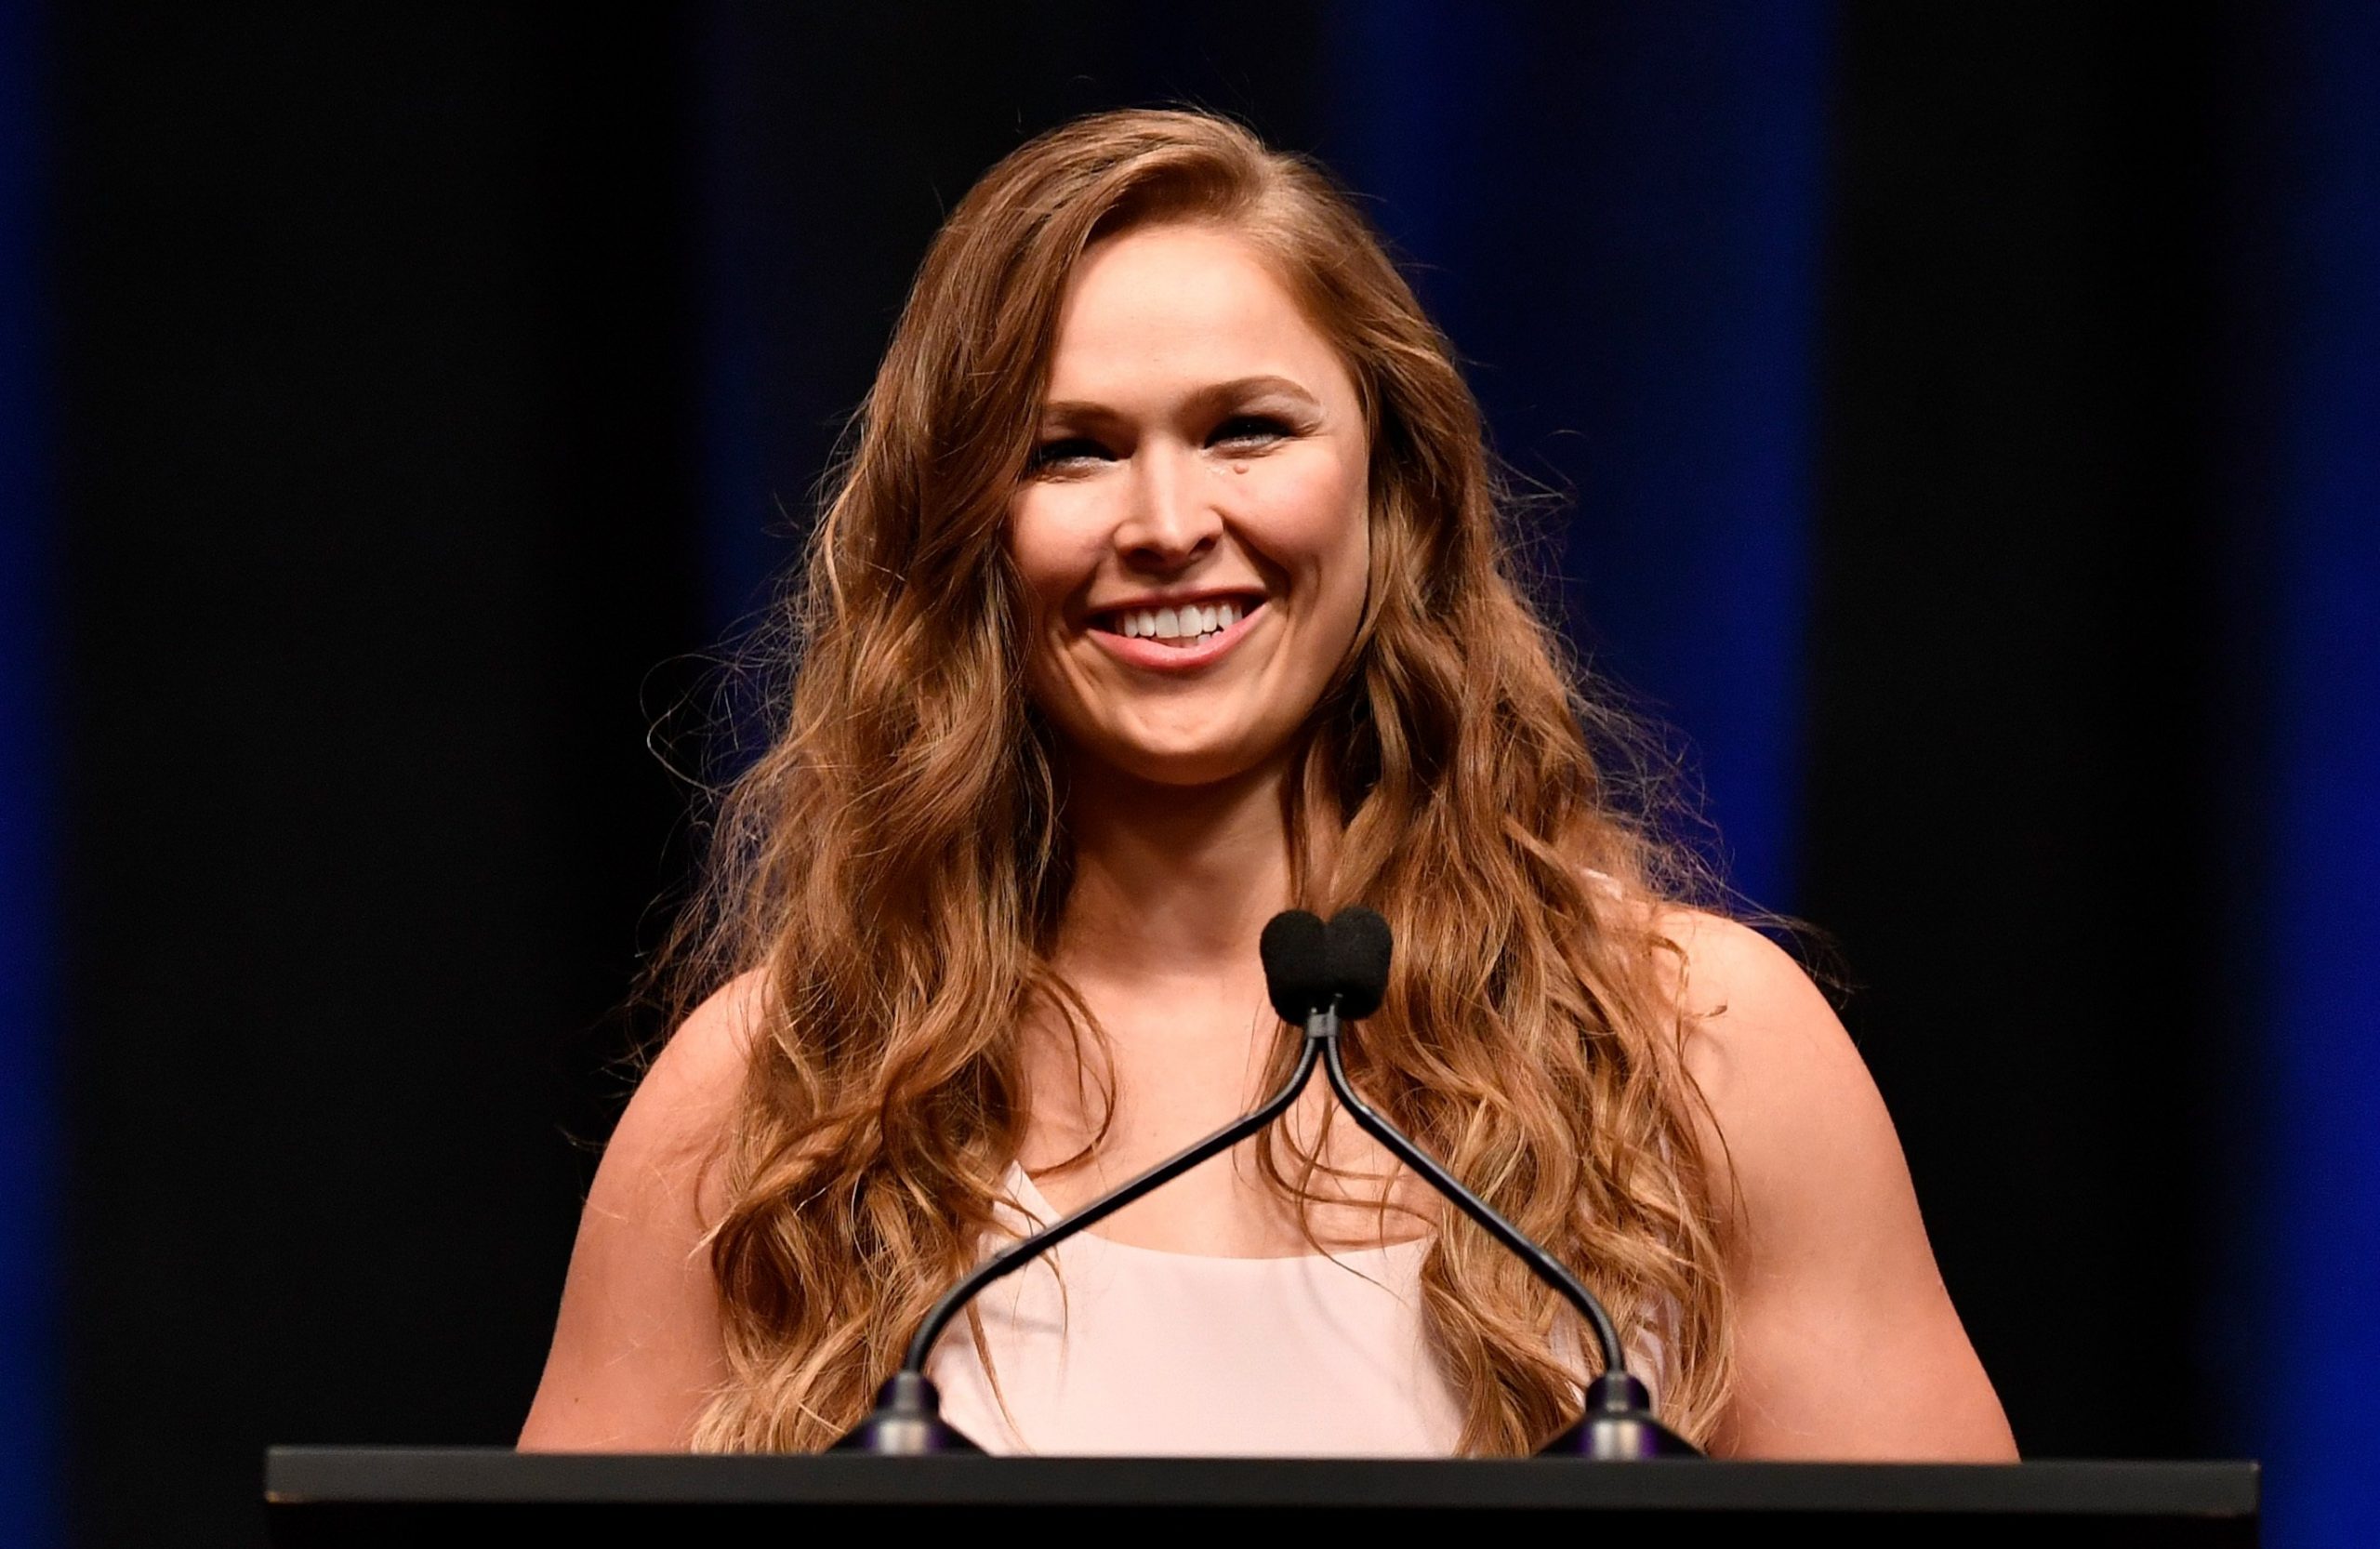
(1962, 429)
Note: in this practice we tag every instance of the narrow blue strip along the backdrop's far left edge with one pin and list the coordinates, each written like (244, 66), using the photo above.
(27, 934)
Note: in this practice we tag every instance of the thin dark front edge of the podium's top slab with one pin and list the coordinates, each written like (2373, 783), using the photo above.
(308, 1476)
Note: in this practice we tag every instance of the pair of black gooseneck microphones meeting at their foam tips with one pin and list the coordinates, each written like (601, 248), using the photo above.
(1317, 977)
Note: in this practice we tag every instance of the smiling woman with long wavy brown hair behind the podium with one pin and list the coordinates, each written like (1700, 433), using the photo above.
(1163, 594)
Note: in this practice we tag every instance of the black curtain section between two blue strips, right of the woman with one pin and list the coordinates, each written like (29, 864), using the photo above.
(2012, 682)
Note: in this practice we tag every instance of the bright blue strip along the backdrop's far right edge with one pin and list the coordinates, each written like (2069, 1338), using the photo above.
(2317, 294)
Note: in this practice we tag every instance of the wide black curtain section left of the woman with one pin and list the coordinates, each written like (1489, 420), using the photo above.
(377, 515)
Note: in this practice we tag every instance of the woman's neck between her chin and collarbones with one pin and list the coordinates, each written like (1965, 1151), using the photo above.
(1172, 877)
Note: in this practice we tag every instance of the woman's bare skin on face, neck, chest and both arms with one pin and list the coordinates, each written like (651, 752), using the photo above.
(1203, 437)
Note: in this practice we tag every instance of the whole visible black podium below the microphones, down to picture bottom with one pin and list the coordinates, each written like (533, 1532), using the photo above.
(358, 1495)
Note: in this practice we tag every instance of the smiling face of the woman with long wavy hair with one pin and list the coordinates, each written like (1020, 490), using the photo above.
(1194, 527)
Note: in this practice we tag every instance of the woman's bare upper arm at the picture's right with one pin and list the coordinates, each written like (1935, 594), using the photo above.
(1846, 1338)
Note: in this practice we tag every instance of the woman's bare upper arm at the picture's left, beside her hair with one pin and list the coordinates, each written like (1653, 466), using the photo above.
(637, 1346)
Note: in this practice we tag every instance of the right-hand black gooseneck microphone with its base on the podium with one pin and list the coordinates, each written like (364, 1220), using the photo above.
(1348, 986)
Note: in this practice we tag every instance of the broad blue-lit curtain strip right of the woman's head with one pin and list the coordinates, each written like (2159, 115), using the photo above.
(1617, 213)
